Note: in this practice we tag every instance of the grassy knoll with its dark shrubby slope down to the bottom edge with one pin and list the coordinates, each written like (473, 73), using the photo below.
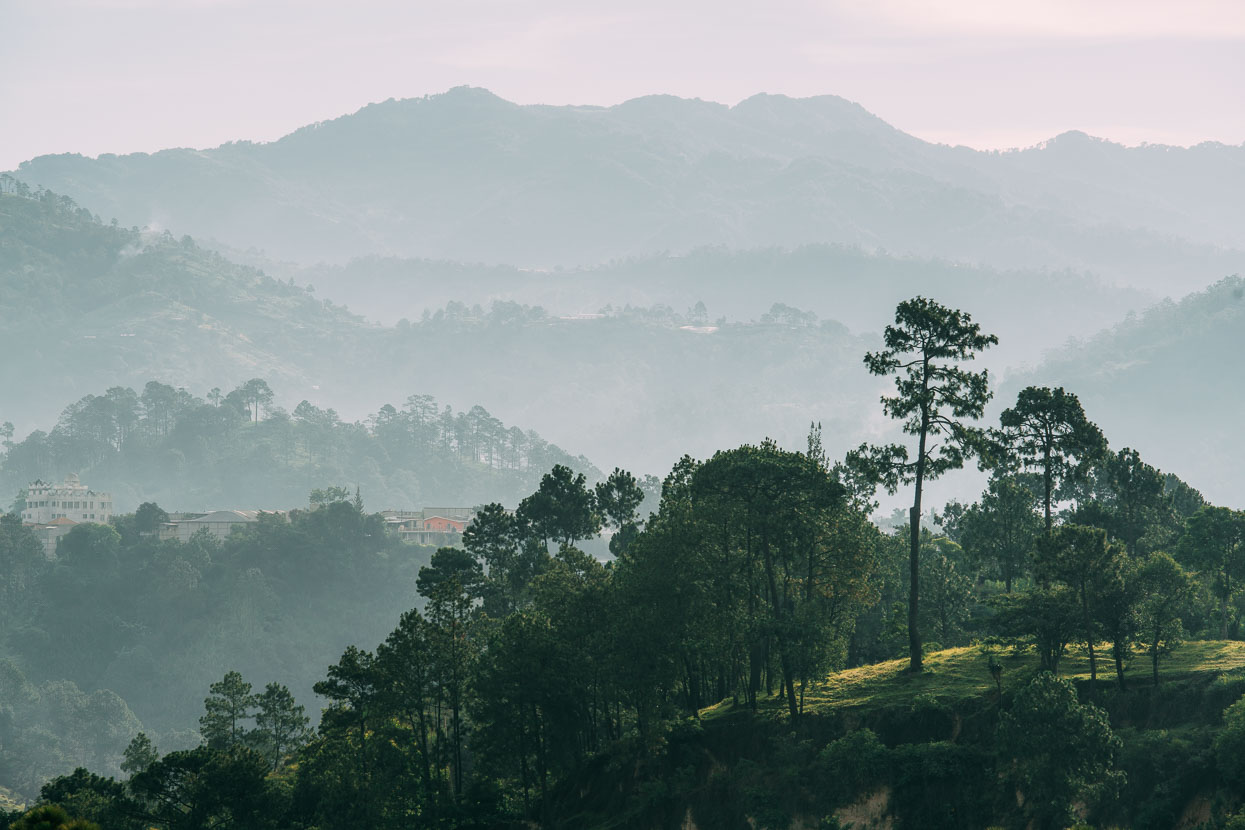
(878, 747)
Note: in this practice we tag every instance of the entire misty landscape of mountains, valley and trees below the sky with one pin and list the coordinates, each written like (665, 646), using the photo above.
(461, 464)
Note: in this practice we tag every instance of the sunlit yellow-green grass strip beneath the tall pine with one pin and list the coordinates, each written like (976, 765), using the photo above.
(961, 674)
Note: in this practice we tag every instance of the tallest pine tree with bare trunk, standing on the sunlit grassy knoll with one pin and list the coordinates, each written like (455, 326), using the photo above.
(934, 398)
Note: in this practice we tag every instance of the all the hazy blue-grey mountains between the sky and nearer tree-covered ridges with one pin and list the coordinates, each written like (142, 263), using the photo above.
(633, 282)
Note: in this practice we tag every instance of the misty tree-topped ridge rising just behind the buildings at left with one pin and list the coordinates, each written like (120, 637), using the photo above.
(238, 449)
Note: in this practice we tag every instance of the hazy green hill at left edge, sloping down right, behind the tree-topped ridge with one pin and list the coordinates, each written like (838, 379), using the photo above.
(88, 305)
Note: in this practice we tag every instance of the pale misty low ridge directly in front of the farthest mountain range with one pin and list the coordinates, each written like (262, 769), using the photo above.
(845, 284)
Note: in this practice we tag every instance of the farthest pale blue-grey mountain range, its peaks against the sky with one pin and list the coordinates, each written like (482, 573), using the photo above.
(467, 176)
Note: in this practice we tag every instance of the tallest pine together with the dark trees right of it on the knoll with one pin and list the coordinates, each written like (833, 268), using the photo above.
(1101, 573)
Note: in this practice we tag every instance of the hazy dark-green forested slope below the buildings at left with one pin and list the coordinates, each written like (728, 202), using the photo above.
(124, 633)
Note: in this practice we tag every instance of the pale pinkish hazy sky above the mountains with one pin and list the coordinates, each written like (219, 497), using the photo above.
(96, 77)
